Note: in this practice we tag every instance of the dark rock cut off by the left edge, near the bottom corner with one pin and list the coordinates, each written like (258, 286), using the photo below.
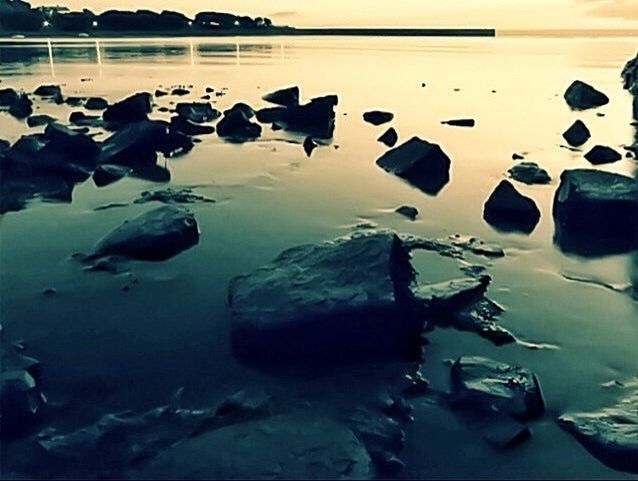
(21, 400)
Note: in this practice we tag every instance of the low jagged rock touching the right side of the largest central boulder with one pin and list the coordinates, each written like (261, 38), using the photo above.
(461, 303)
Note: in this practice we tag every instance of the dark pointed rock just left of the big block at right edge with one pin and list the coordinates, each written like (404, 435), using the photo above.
(507, 209)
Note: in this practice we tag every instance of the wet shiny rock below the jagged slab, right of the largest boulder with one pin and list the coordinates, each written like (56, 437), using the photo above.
(490, 386)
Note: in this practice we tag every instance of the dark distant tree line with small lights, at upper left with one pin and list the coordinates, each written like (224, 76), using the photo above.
(18, 16)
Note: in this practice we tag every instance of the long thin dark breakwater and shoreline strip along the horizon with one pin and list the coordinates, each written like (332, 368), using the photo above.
(262, 32)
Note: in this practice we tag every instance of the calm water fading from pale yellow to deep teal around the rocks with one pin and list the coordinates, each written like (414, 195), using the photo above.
(104, 349)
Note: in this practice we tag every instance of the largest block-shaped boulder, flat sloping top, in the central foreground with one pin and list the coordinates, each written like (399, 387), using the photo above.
(347, 297)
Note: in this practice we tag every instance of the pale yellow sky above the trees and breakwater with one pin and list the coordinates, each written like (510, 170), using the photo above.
(502, 14)
